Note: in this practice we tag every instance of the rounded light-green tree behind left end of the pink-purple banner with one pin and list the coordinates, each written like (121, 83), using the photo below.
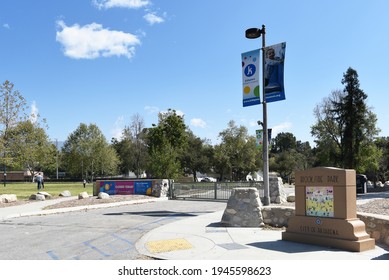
(87, 153)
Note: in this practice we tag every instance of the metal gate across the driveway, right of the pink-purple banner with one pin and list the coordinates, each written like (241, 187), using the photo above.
(211, 190)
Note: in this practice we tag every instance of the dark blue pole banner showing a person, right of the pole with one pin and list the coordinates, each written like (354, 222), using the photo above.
(274, 72)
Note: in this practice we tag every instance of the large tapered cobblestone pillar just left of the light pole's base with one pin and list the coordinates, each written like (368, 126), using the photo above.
(243, 209)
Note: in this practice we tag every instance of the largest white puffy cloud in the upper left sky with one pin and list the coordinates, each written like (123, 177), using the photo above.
(92, 41)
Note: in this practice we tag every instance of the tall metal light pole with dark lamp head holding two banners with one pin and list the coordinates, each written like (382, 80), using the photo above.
(254, 33)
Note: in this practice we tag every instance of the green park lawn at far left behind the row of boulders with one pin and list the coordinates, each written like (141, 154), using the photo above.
(25, 190)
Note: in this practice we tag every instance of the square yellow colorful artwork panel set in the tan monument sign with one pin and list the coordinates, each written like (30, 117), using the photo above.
(319, 201)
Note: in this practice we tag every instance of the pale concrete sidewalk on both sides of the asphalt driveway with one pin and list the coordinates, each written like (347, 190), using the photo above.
(203, 238)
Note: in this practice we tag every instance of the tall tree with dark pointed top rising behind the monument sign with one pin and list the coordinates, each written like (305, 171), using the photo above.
(345, 127)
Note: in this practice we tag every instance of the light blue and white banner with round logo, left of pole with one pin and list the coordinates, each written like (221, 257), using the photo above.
(250, 73)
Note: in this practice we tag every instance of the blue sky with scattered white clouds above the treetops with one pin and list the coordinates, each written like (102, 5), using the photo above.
(103, 61)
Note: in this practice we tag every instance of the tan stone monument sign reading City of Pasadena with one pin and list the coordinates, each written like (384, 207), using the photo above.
(326, 211)
